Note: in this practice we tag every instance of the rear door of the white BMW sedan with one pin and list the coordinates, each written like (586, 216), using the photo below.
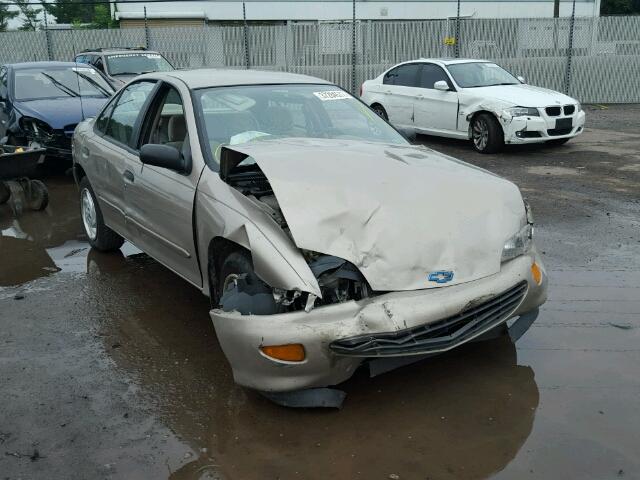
(400, 87)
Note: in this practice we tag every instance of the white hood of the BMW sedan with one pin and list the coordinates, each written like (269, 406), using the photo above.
(522, 95)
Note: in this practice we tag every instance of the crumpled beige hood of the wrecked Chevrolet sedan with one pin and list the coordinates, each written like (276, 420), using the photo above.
(398, 213)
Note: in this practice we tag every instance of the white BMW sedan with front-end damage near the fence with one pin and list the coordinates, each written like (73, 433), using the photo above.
(472, 99)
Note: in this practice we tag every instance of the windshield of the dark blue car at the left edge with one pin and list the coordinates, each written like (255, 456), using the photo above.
(36, 83)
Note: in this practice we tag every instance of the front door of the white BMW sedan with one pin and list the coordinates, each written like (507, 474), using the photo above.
(435, 110)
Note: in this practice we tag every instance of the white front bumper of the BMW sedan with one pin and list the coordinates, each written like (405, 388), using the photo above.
(527, 129)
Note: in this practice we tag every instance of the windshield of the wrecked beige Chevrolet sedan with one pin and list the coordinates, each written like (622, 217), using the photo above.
(235, 115)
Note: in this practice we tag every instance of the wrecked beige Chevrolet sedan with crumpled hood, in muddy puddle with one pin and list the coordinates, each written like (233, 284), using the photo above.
(324, 239)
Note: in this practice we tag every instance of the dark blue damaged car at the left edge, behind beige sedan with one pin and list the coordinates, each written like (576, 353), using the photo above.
(42, 102)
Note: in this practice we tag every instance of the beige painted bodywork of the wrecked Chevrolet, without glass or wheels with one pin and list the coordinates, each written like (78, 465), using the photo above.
(396, 212)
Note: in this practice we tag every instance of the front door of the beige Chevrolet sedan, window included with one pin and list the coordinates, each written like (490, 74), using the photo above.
(160, 201)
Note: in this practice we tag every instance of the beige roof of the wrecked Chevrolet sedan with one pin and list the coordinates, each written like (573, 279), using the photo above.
(213, 77)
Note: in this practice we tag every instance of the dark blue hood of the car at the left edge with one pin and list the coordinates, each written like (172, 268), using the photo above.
(60, 112)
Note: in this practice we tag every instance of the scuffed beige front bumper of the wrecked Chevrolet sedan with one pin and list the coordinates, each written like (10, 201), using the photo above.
(329, 332)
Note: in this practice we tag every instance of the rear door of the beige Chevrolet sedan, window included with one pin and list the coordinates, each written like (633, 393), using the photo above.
(109, 150)
